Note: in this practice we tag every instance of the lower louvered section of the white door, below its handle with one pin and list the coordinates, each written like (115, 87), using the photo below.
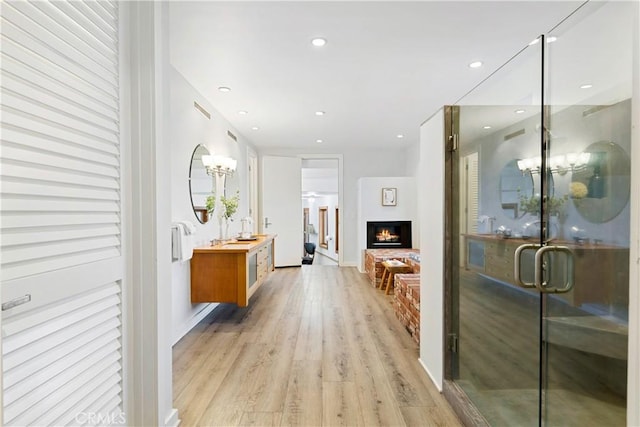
(52, 359)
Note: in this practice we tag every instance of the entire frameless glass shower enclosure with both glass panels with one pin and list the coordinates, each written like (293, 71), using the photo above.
(538, 300)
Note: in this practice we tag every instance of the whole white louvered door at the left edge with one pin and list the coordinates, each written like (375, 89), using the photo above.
(60, 213)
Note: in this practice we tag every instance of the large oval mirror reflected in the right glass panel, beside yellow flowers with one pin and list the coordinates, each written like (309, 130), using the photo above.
(600, 189)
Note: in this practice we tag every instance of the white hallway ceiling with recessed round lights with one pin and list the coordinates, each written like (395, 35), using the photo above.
(386, 67)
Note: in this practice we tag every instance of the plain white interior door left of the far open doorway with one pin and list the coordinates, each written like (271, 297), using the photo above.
(282, 207)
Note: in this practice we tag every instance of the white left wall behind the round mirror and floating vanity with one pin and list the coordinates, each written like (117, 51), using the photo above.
(188, 128)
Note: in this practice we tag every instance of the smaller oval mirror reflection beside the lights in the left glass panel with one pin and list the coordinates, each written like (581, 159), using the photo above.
(514, 185)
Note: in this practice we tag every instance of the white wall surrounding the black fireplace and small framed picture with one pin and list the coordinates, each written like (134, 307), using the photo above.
(370, 207)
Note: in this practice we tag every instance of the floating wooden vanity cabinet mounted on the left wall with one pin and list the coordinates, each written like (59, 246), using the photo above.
(231, 272)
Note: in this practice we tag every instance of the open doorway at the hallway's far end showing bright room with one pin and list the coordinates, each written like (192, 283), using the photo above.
(320, 196)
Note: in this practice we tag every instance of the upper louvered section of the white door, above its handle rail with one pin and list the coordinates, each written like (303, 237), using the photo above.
(60, 148)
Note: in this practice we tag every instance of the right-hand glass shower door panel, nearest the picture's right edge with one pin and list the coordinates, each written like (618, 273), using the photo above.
(585, 330)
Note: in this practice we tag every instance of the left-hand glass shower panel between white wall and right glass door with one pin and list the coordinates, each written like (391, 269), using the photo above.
(498, 200)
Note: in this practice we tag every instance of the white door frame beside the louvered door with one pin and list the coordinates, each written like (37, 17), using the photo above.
(147, 342)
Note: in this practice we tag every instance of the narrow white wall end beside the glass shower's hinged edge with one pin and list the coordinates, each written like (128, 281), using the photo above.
(431, 214)
